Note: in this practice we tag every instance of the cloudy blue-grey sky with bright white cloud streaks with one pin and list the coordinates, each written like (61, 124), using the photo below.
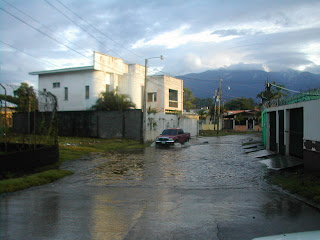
(193, 36)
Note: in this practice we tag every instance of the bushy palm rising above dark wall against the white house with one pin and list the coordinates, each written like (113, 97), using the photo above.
(113, 101)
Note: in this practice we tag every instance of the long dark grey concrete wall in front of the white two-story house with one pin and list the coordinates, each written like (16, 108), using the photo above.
(101, 124)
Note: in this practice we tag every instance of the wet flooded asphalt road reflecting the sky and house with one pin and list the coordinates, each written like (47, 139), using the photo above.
(197, 191)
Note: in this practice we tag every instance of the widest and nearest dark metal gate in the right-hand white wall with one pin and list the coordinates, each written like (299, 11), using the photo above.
(296, 132)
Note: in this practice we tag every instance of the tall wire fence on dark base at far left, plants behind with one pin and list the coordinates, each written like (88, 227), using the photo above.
(36, 143)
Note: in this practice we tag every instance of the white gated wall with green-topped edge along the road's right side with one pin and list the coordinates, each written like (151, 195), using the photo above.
(291, 127)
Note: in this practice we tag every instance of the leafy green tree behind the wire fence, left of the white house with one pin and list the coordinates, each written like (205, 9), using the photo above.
(26, 98)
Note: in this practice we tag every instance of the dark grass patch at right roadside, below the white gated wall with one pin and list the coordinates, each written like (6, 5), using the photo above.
(302, 183)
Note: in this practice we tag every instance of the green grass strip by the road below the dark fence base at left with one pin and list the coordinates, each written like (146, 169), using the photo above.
(15, 184)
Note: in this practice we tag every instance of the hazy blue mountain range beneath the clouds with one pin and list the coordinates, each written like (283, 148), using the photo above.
(246, 83)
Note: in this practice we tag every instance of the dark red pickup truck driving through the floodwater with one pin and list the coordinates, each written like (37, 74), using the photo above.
(172, 135)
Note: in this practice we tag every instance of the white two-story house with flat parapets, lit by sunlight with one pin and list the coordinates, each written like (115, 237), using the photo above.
(78, 88)
